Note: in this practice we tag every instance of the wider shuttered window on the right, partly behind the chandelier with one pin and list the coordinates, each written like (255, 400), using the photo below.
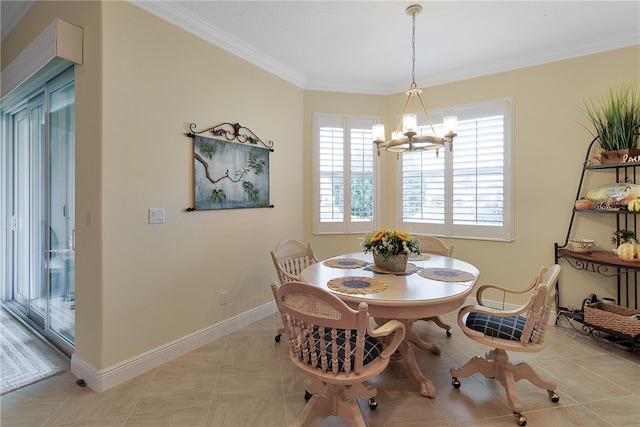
(466, 192)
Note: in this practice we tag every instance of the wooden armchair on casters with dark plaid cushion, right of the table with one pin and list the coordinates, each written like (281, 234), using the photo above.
(520, 330)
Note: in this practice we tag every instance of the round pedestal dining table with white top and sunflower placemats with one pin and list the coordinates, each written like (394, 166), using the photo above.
(431, 285)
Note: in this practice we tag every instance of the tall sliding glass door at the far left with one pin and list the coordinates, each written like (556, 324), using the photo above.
(40, 138)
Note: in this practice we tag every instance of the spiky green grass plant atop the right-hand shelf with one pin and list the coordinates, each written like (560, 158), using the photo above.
(615, 118)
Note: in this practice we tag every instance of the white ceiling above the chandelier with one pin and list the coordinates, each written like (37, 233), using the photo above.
(365, 46)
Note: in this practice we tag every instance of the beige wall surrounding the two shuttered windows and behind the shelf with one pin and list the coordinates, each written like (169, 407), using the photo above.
(549, 148)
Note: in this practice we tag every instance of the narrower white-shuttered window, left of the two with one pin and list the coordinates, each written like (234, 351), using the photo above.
(345, 162)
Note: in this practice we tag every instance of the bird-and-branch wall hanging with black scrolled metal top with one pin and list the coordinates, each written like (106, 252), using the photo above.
(231, 170)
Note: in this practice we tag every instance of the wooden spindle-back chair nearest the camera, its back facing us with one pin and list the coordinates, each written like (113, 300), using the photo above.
(335, 349)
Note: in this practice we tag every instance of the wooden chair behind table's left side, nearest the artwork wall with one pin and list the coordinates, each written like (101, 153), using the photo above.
(289, 259)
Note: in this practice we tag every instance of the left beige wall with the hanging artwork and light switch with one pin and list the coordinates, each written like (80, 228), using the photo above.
(141, 286)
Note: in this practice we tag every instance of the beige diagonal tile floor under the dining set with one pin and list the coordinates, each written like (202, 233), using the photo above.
(246, 379)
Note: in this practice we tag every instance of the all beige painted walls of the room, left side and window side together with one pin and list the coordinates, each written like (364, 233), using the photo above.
(141, 286)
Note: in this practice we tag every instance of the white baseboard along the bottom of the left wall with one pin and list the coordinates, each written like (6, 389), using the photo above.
(101, 380)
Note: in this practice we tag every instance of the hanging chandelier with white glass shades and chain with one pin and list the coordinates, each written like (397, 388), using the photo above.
(405, 137)
